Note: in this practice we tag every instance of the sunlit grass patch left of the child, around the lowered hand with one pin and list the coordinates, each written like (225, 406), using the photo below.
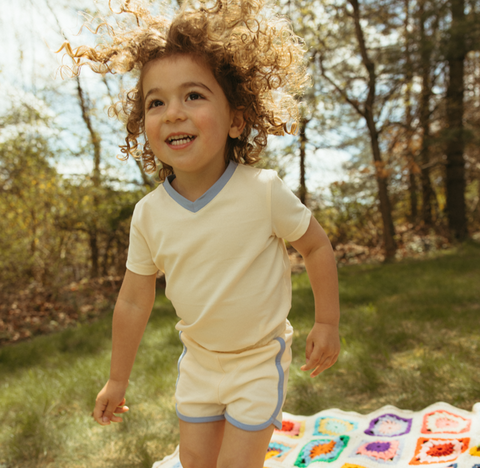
(48, 391)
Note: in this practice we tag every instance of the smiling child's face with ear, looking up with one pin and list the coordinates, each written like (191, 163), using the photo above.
(187, 116)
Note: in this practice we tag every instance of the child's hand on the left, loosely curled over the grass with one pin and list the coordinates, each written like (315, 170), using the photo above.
(110, 400)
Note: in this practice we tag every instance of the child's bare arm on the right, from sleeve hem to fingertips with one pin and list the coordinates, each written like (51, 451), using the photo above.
(323, 342)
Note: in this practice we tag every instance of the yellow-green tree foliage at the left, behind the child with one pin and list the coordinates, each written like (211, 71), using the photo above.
(48, 219)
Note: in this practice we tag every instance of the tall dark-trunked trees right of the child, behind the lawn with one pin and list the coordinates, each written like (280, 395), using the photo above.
(394, 74)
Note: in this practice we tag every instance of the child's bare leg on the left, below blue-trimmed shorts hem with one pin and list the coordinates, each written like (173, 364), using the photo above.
(200, 443)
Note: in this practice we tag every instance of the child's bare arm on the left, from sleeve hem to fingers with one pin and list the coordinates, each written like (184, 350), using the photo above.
(132, 310)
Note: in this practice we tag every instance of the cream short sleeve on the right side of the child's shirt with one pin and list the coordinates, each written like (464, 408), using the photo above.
(290, 217)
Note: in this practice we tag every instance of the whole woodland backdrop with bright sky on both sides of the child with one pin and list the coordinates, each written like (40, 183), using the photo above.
(395, 84)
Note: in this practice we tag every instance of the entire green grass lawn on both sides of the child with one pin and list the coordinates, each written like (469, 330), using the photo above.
(410, 338)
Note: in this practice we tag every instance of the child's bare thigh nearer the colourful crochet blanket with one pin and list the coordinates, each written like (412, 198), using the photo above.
(244, 449)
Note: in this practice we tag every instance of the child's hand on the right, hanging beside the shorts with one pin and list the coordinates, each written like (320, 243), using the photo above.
(323, 348)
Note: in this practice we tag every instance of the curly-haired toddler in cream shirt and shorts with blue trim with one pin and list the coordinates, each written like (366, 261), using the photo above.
(213, 83)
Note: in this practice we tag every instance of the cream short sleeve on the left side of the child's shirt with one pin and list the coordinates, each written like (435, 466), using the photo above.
(139, 259)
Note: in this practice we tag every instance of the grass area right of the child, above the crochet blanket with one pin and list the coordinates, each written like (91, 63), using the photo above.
(409, 336)
